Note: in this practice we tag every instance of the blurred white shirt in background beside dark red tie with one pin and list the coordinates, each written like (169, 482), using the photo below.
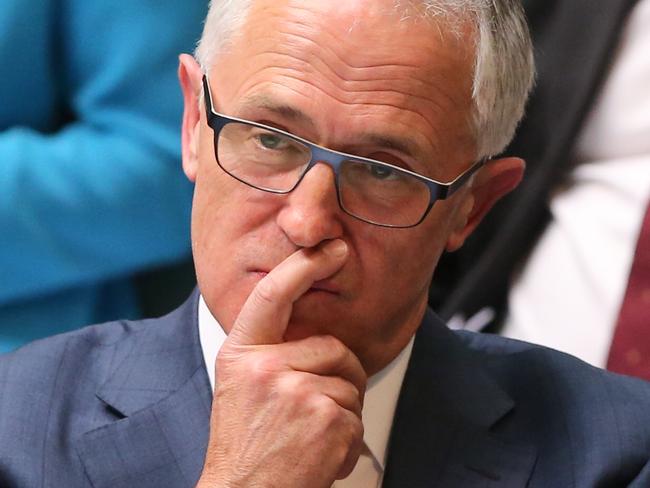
(570, 291)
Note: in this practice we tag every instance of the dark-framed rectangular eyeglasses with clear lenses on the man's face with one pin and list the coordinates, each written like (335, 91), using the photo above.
(276, 161)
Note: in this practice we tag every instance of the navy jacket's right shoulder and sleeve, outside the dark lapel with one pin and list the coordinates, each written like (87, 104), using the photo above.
(591, 420)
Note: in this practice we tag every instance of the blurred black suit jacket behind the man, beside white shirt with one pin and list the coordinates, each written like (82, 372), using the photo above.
(574, 43)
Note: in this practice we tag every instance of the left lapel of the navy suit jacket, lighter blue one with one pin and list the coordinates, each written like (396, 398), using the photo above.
(160, 396)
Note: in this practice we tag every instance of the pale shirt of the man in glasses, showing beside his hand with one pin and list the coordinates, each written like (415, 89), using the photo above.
(380, 401)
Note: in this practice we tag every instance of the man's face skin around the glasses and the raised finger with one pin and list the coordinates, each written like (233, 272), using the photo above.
(349, 76)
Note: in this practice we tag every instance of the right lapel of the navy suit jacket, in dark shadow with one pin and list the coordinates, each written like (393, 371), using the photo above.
(441, 433)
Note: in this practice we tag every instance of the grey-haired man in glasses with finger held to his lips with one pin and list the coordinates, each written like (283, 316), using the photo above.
(316, 134)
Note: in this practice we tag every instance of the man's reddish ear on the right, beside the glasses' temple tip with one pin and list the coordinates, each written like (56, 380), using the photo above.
(496, 179)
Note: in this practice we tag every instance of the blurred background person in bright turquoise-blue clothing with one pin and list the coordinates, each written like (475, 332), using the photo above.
(90, 186)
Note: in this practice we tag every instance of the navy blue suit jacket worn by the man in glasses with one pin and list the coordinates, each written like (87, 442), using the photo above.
(127, 404)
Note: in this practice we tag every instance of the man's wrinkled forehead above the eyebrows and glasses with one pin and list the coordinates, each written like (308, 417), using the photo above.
(359, 59)
